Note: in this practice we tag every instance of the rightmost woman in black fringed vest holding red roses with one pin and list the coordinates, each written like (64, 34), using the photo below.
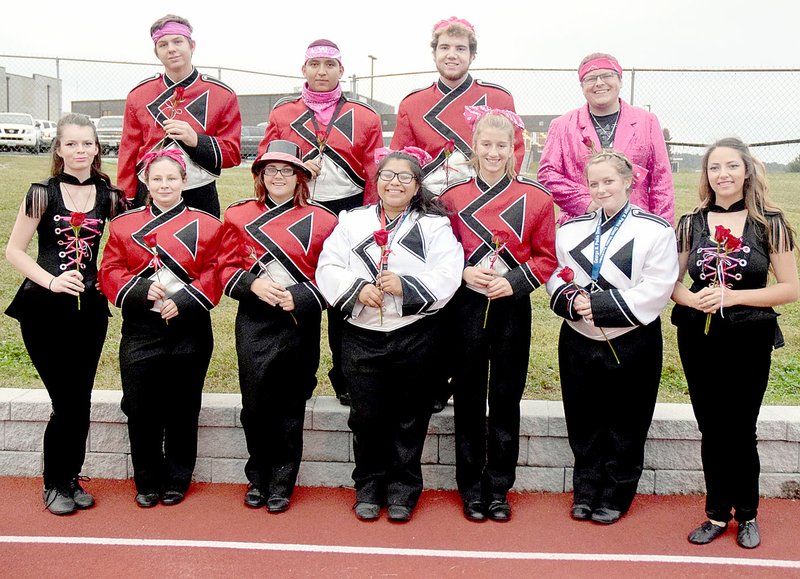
(729, 245)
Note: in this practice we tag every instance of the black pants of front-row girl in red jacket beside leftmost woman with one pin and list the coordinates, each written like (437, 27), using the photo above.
(163, 369)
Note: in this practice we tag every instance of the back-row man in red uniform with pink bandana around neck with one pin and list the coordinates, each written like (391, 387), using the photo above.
(337, 137)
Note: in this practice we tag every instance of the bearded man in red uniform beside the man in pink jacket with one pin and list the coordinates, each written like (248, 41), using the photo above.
(432, 118)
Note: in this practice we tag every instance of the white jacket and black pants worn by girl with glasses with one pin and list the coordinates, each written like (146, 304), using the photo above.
(388, 356)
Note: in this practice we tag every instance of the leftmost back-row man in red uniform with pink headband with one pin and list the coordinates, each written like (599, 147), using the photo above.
(183, 109)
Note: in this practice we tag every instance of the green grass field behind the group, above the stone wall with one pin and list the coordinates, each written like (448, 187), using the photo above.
(17, 171)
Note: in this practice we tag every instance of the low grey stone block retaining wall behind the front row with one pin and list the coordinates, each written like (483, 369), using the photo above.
(672, 458)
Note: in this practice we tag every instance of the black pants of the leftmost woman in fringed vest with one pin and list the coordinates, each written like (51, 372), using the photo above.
(64, 344)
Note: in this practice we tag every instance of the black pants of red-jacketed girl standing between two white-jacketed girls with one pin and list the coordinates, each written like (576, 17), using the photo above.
(487, 451)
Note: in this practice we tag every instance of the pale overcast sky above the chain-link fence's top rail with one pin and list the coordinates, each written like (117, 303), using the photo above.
(271, 36)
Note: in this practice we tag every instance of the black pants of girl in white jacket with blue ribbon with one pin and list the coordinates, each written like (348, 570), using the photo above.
(608, 409)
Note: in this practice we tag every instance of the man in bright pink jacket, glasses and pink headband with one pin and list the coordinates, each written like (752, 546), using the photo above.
(606, 122)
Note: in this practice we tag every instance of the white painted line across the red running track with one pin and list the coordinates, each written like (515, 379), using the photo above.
(386, 551)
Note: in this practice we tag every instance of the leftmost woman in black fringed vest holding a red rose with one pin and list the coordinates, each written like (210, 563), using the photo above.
(68, 212)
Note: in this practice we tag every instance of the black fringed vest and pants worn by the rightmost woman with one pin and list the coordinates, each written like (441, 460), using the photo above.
(720, 386)
